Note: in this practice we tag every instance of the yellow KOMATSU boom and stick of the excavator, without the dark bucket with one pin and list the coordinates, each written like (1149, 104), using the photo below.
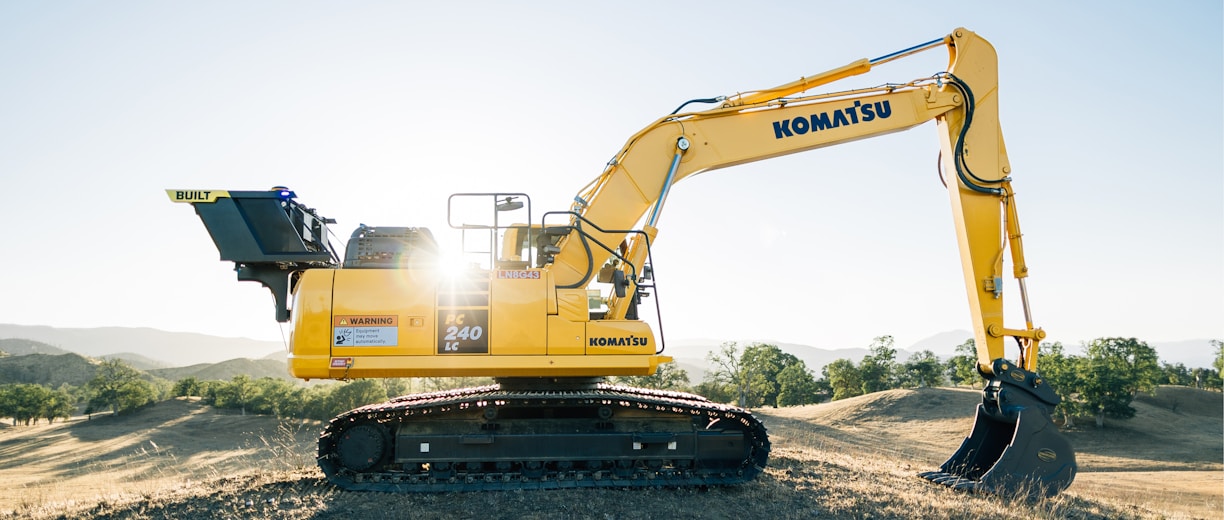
(764, 125)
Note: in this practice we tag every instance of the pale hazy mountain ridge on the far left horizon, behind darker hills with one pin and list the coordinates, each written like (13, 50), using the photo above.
(168, 348)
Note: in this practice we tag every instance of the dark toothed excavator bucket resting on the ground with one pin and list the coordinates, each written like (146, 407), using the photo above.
(1014, 448)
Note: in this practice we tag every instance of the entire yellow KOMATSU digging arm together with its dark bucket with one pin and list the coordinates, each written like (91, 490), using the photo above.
(1013, 441)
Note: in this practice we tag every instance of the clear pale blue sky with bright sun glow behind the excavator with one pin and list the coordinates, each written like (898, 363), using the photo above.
(376, 112)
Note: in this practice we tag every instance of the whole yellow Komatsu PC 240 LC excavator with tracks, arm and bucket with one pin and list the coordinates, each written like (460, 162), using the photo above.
(549, 309)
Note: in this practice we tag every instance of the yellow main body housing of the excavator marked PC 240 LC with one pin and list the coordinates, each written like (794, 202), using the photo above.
(357, 324)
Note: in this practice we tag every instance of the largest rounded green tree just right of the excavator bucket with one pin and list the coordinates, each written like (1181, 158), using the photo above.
(1117, 370)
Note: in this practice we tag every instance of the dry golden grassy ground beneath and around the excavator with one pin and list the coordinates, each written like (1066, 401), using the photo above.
(850, 459)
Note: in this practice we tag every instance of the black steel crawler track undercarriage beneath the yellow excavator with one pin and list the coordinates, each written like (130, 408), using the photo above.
(507, 439)
